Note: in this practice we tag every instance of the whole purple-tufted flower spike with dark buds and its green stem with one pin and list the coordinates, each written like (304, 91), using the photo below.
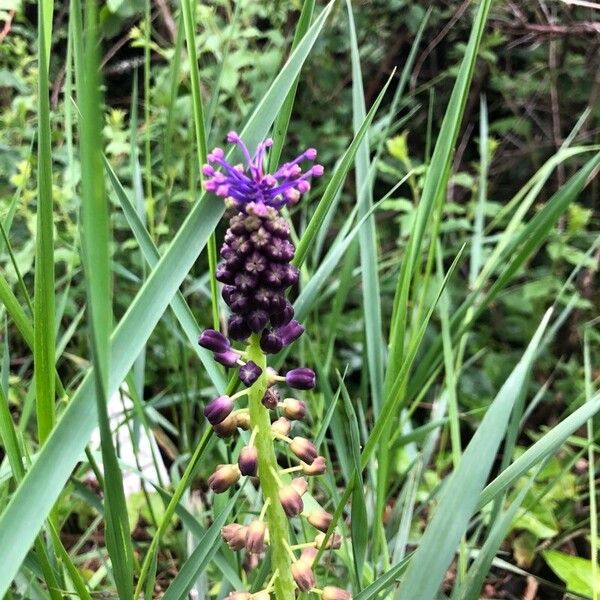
(255, 272)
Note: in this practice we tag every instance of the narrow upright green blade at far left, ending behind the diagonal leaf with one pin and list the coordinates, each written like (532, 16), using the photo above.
(43, 351)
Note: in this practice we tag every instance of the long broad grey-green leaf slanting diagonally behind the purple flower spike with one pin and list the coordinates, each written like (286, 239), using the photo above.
(32, 501)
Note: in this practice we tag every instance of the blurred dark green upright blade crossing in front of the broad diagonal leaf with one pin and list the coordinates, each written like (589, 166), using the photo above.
(96, 252)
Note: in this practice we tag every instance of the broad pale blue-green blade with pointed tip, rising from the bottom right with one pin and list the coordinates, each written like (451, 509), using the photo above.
(459, 496)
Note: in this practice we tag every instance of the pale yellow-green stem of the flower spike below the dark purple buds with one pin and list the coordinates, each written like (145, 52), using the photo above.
(276, 520)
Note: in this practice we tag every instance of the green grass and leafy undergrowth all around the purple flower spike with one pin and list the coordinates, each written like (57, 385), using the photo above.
(448, 263)
